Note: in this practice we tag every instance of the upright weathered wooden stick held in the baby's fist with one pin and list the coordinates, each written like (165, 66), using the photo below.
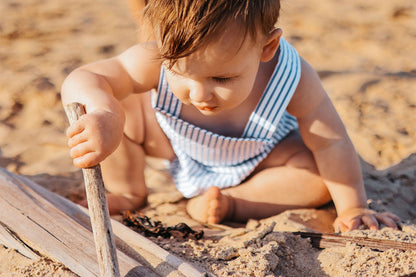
(97, 204)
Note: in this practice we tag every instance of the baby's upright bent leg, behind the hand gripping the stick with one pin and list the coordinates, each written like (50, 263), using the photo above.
(123, 170)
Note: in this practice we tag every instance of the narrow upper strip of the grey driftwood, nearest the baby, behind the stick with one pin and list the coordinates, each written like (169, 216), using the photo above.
(130, 243)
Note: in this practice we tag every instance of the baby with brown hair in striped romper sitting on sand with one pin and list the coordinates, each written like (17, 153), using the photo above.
(244, 120)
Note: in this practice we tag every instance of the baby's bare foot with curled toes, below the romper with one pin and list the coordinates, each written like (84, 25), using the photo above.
(211, 207)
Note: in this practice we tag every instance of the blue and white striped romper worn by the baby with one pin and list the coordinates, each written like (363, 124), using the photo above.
(205, 159)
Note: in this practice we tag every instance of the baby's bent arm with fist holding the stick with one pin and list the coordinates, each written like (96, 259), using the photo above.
(99, 87)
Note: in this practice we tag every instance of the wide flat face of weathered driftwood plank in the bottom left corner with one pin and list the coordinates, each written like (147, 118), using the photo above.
(40, 226)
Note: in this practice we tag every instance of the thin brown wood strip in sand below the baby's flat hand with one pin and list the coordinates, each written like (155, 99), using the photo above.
(321, 240)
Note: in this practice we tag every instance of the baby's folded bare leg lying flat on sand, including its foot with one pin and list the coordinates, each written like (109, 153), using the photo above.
(286, 179)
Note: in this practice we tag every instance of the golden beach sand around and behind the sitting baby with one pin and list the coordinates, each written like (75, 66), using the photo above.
(364, 52)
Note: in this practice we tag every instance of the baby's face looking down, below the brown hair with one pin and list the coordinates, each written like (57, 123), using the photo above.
(217, 78)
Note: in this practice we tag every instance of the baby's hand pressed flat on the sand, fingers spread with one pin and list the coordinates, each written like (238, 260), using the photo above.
(353, 218)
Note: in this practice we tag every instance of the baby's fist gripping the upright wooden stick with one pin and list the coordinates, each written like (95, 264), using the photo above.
(93, 137)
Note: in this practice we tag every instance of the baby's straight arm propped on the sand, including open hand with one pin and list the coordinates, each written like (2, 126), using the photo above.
(324, 134)
